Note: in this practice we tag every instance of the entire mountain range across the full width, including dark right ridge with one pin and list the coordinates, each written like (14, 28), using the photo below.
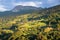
(18, 10)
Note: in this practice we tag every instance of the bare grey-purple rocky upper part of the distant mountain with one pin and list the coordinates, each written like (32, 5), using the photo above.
(25, 8)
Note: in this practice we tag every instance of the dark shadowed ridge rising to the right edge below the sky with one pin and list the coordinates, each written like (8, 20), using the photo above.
(49, 10)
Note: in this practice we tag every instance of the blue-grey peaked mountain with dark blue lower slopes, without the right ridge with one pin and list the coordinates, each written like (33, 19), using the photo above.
(18, 10)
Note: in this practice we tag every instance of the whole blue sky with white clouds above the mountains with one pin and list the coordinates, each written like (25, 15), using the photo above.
(10, 4)
